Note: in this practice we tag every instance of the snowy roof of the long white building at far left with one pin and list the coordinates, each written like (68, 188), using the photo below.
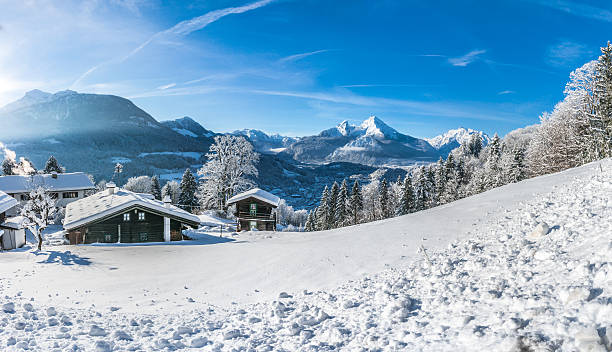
(74, 181)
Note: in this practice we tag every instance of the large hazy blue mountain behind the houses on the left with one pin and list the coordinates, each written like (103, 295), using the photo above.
(92, 132)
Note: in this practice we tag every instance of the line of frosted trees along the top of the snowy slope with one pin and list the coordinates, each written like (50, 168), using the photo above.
(577, 131)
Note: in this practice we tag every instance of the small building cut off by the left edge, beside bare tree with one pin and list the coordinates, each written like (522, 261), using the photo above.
(12, 231)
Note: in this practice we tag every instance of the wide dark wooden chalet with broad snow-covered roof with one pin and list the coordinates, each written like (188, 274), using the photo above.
(120, 216)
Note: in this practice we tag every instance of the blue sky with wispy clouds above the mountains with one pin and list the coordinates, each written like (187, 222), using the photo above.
(299, 66)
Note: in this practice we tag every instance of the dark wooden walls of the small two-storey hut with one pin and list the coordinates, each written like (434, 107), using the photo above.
(252, 212)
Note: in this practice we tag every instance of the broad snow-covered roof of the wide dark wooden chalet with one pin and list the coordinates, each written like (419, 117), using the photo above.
(103, 204)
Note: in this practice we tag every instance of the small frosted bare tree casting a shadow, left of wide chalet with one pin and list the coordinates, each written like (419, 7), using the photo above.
(39, 208)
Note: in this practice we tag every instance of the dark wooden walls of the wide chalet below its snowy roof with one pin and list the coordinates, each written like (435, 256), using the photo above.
(116, 228)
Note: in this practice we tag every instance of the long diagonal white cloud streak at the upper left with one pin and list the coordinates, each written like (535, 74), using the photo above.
(182, 28)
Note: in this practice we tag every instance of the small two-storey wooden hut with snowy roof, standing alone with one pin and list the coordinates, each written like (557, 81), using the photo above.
(255, 210)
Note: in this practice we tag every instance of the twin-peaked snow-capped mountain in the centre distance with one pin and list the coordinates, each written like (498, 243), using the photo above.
(373, 142)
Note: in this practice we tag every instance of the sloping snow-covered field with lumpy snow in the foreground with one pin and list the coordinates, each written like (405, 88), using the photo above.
(487, 280)
